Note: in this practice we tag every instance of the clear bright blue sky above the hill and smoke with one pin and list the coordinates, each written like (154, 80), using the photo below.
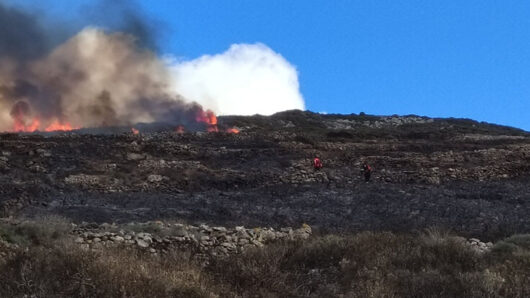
(436, 58)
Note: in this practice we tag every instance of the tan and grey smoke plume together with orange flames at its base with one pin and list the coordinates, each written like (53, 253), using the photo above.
(95, 79)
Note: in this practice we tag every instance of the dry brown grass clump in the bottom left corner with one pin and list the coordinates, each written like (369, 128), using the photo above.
(68, 271)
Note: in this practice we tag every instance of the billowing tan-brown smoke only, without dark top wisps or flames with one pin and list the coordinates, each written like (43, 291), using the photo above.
(94, 79)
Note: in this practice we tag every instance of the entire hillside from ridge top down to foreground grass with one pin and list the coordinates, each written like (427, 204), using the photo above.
(466, 176)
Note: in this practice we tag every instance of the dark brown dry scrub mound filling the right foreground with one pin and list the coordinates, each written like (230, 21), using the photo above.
(375, 265)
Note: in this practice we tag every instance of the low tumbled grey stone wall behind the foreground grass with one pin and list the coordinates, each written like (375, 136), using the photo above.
(164, 236)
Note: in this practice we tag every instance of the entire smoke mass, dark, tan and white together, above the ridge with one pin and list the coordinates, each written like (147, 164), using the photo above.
(103, 78)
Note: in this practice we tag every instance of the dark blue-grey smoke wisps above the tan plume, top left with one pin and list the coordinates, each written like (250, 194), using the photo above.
(27, 35)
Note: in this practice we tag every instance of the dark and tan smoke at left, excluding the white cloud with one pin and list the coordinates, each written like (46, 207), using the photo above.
(106, 74)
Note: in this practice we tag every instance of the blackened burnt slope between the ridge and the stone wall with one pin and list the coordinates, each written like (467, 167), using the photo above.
(470, 177)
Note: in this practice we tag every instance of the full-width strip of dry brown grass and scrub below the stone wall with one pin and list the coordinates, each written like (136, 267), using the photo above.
(434, 264)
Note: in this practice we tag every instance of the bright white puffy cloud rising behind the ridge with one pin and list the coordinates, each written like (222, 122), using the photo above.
(246, 79)
